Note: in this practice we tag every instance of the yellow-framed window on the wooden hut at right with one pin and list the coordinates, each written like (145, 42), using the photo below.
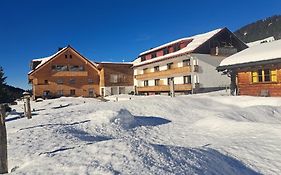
(264, 75)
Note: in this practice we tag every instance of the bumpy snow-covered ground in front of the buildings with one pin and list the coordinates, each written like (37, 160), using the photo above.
(196, 134)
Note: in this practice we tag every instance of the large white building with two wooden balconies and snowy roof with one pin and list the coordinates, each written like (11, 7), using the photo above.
(189, 64)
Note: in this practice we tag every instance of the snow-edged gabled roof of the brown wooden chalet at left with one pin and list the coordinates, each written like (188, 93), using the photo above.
(45, 60)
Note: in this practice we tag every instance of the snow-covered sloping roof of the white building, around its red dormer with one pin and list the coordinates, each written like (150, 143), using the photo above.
(197, 41)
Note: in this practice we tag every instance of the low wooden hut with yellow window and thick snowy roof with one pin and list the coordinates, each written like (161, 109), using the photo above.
(255, 71)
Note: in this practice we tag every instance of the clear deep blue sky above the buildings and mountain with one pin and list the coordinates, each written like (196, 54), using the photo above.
(110, 30)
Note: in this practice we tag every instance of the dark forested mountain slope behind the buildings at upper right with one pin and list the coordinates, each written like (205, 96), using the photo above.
(261, 29)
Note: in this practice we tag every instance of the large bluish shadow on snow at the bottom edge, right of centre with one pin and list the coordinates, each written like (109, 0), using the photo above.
(181, 160)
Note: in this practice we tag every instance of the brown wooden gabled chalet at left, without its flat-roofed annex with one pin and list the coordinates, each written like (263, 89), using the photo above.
(67, 73)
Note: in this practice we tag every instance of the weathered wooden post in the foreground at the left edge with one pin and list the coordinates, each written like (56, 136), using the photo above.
(3, 142)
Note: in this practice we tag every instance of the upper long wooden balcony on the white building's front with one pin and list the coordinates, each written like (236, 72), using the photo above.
(164, 73)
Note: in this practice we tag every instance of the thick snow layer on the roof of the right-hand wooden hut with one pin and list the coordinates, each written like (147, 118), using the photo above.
(262, 52)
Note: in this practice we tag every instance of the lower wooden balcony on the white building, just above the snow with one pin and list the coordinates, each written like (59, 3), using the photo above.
(165, 88)
